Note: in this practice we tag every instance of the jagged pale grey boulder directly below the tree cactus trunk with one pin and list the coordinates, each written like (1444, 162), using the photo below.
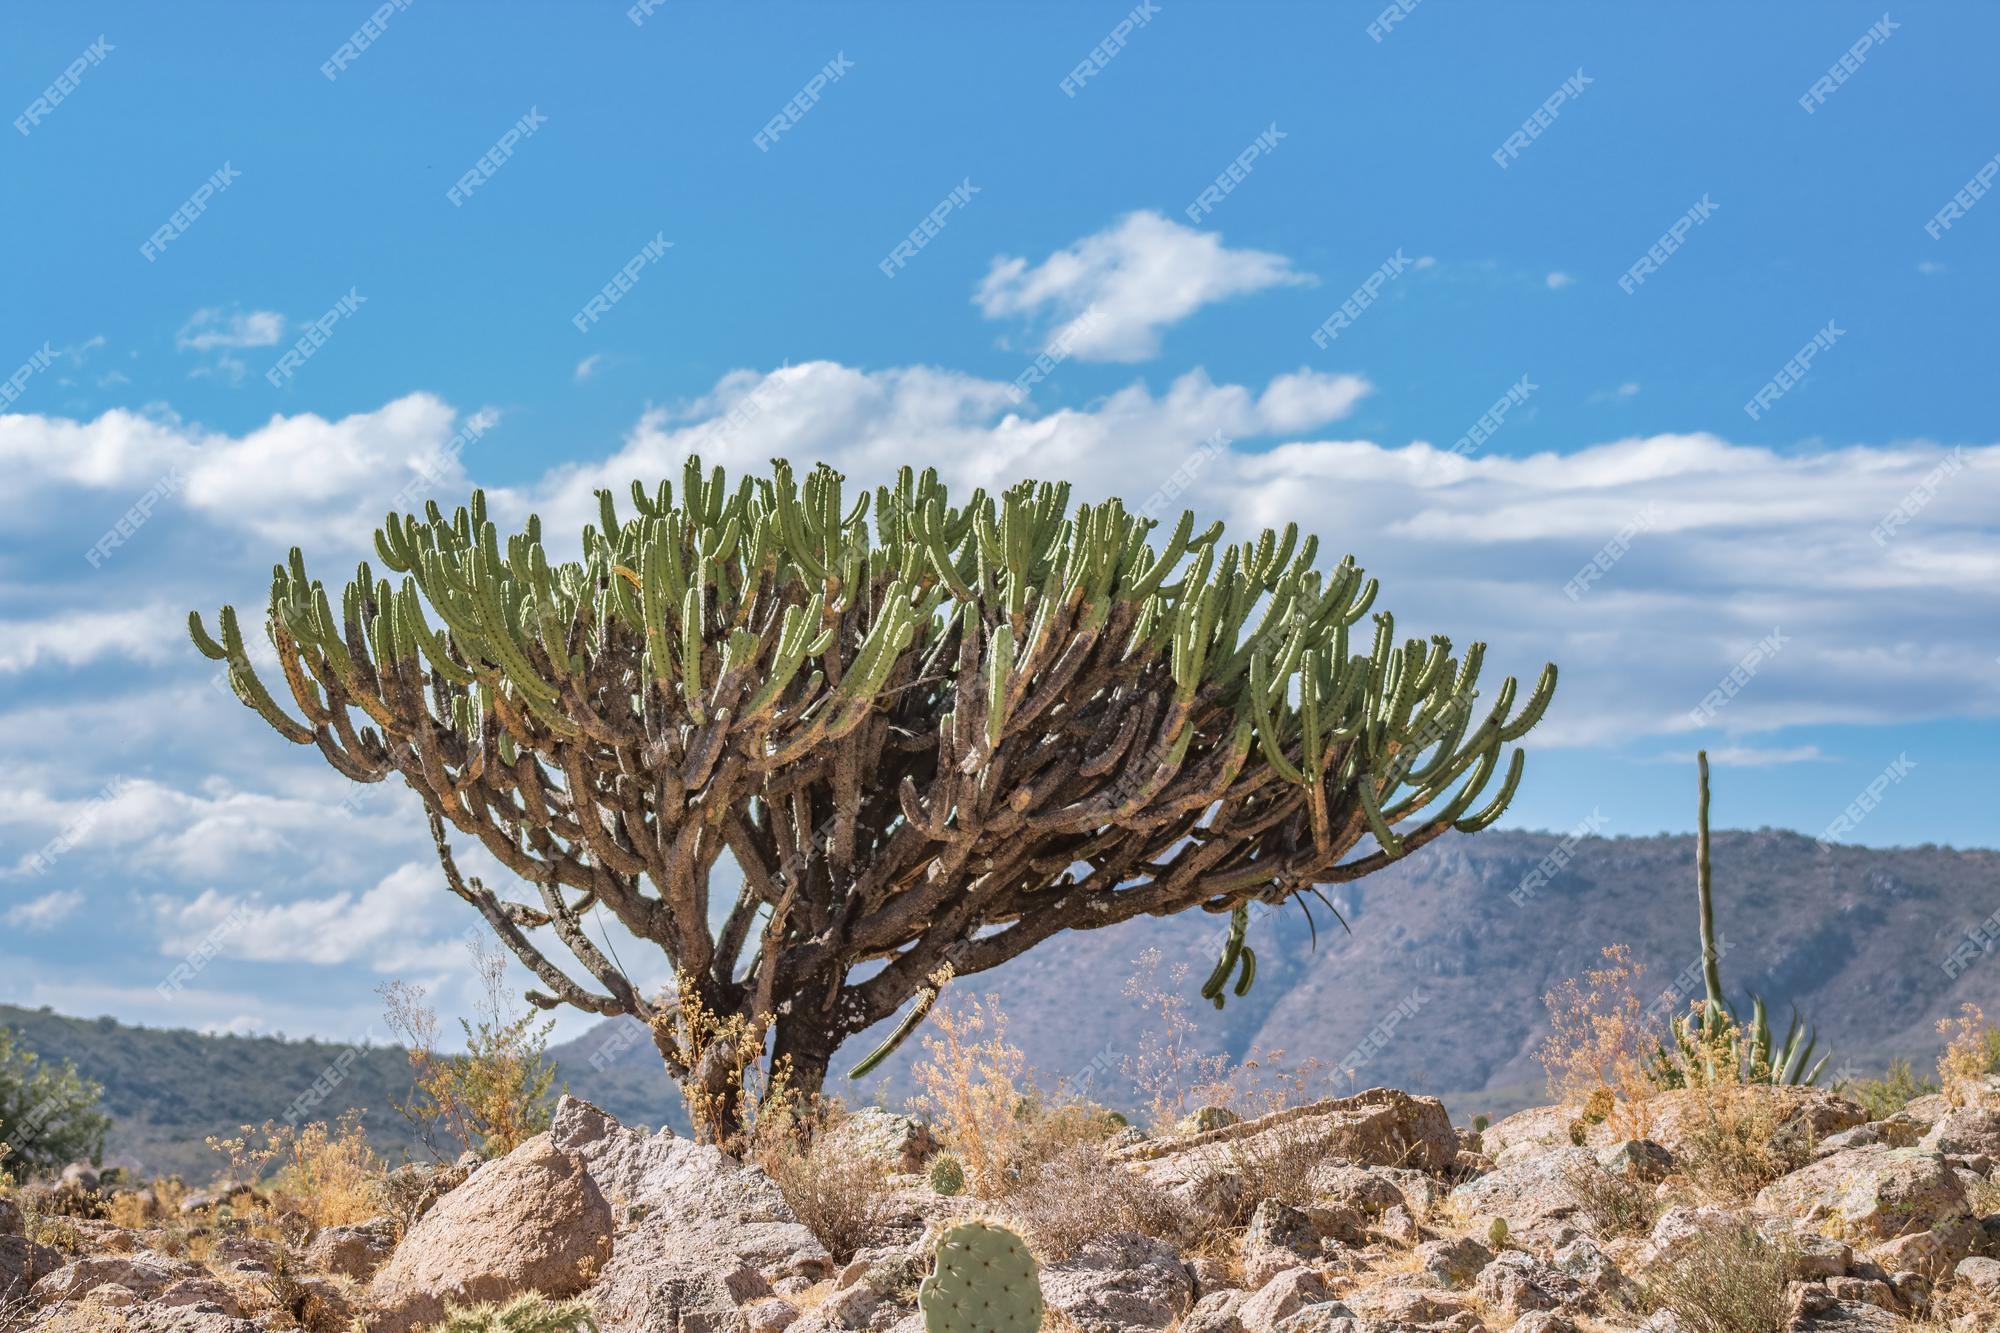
(689, 1198)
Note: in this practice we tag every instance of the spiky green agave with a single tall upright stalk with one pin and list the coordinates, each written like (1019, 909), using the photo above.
(1709, 1038)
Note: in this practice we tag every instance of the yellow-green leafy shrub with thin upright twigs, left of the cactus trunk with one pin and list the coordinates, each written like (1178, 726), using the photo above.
(493, 1098)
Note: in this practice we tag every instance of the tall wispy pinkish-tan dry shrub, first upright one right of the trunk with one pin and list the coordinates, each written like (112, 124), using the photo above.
(971, 1080)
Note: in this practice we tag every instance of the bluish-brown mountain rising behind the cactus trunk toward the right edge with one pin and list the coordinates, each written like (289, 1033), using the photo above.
(1443, 956)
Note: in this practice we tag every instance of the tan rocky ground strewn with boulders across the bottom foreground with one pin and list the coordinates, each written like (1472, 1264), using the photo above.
(1761, 1210)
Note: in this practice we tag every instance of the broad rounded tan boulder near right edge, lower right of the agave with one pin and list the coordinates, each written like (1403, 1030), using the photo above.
(1869, 1194)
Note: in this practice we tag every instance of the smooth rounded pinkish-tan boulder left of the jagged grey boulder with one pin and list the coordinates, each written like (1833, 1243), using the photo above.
(531, 1222)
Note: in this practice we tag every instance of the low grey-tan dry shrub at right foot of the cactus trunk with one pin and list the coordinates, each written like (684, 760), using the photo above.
(843, 1198)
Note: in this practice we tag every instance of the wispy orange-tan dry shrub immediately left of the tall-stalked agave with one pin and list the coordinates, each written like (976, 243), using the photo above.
(1601, 1042)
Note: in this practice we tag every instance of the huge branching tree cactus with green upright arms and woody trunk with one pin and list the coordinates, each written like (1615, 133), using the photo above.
(931, 736)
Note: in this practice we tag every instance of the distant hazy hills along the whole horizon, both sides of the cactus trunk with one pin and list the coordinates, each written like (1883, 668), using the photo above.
(1855, 938)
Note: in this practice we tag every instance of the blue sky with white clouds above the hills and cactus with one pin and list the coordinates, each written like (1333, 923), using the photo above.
(773, 297)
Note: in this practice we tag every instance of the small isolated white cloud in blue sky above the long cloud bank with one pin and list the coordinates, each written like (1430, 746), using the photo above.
(1139, 277)
